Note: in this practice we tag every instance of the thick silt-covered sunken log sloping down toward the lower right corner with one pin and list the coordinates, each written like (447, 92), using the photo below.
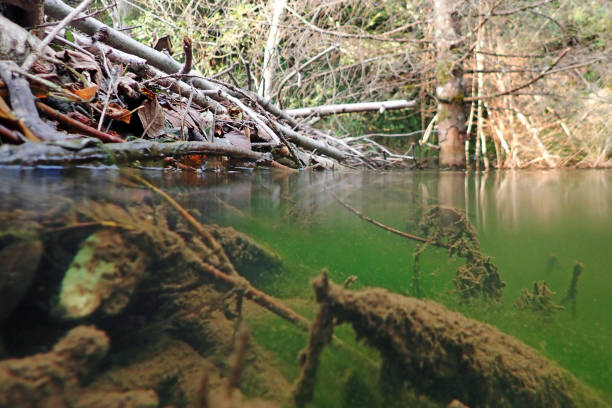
(447, 355)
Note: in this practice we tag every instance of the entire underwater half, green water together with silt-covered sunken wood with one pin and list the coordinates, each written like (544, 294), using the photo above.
(150, 288)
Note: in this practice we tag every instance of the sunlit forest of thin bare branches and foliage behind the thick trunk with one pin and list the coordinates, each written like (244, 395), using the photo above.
(536, 73)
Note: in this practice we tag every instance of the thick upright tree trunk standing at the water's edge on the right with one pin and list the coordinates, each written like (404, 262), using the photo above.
(450, 92)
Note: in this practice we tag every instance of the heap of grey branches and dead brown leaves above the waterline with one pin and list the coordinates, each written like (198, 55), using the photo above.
(101, 84)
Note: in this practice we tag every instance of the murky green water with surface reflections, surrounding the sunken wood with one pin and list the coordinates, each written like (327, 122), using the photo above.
(536, 225)
